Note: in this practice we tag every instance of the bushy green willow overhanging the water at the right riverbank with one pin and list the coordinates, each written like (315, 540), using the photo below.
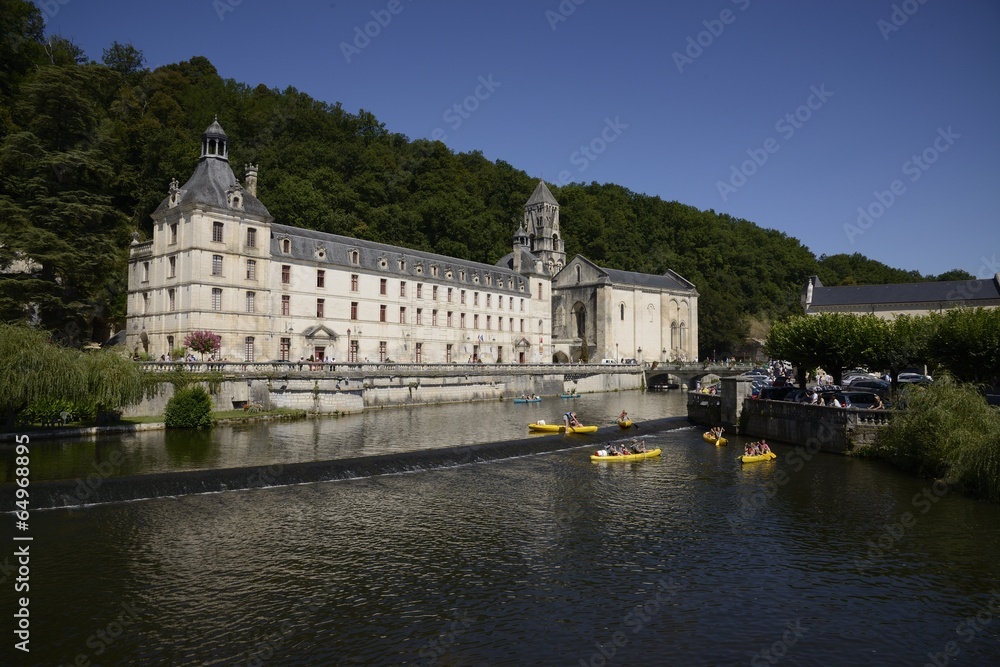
(948, 431)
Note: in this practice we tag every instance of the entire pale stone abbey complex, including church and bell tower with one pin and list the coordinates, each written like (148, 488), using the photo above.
(219, 262)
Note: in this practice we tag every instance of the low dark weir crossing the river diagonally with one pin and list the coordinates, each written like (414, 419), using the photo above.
(99, 490)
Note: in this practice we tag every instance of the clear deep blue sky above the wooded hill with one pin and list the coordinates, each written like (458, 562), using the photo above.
(792, 114)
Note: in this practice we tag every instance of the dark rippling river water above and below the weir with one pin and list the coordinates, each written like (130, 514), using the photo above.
(687, 559)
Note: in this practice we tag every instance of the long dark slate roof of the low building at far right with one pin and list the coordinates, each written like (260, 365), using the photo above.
(946, 291)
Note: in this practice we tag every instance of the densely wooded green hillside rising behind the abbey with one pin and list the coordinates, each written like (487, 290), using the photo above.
(88, 149)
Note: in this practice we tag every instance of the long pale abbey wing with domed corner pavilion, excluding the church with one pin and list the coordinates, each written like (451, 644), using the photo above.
(218, 262)
